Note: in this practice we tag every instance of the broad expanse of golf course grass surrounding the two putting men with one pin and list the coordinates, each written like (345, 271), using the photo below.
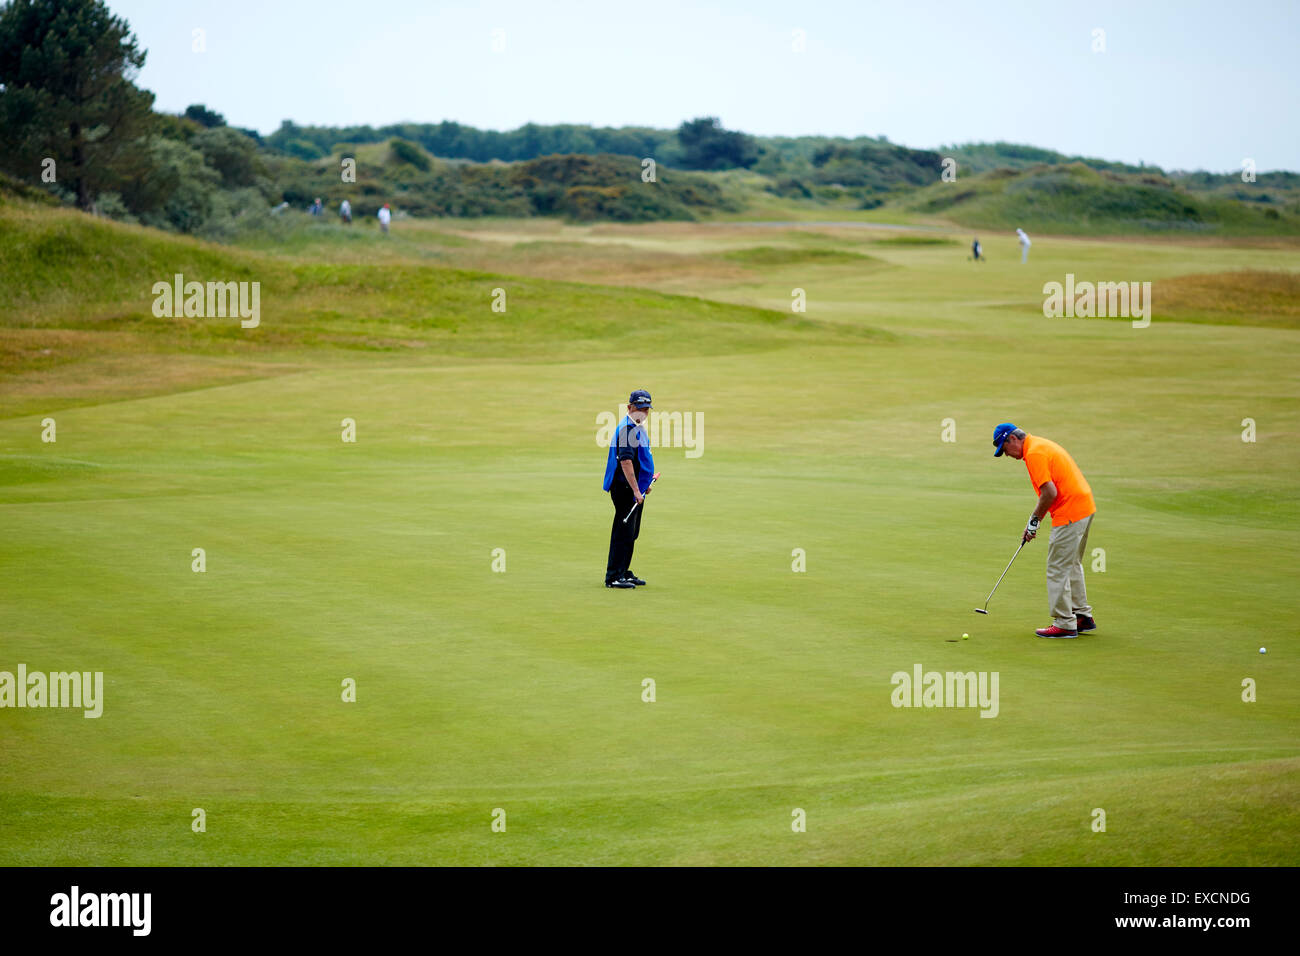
(522, 690)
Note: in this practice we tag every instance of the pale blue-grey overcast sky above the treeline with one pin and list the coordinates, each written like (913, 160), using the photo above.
(1180, 85)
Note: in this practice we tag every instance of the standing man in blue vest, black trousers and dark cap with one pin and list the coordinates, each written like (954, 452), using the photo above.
(627, 478)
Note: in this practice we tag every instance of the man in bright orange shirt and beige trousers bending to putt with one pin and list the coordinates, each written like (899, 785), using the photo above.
(1064, 492)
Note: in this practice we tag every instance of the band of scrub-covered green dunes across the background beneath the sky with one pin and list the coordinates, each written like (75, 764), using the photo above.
(228, 183)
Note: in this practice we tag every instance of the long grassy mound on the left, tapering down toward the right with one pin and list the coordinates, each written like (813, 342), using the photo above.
(76, 293)
